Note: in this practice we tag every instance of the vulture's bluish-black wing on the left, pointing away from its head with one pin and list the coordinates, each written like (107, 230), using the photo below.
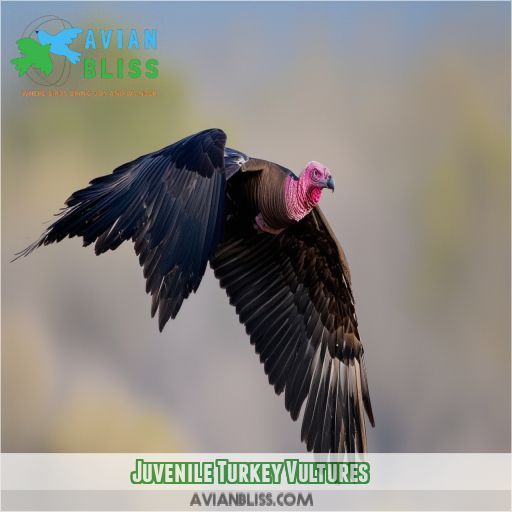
(170, 203)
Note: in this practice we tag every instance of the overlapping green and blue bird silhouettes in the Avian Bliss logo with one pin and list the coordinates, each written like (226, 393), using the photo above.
(36, 53)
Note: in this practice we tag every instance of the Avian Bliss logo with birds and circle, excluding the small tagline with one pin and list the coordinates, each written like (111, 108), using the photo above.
(49, 47)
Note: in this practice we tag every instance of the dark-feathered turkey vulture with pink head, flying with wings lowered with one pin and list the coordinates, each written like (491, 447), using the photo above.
(261, 229)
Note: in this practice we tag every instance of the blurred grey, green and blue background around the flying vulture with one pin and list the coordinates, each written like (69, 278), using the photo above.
(408, 103)
